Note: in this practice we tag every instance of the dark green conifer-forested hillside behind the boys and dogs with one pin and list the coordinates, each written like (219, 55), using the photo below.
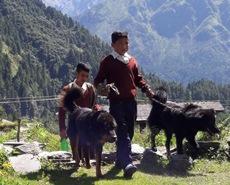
(39, 49)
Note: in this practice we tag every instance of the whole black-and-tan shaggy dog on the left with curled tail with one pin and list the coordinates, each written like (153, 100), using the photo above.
(88, 128)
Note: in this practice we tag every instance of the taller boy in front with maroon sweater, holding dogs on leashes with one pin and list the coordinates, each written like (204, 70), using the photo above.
(121, 68)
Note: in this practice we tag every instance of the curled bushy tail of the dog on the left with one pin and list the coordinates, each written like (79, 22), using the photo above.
(67, 98)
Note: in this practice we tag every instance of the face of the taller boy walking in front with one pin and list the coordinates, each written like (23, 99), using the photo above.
(121, 46)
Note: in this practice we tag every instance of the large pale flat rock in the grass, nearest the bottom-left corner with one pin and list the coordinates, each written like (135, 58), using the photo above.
(26, 163)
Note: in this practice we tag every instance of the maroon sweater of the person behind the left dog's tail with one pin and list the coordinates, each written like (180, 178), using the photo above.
(83, 101)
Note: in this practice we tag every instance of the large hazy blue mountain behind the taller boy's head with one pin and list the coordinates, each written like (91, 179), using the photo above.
(175, 39)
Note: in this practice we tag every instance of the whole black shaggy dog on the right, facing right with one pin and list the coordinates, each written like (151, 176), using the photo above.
(184, 122)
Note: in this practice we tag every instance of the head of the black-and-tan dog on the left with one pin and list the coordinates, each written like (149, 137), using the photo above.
(106, 125)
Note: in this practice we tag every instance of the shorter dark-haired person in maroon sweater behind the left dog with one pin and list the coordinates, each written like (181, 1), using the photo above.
(87, 100)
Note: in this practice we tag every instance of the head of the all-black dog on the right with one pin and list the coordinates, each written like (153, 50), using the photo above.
(208, 121)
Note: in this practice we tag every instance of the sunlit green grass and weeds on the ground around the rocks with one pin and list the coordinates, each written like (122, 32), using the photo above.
(211, 169)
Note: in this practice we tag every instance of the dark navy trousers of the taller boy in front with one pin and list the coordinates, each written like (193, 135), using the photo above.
(125, 114)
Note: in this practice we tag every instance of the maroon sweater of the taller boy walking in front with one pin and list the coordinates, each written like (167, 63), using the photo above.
(126, 78)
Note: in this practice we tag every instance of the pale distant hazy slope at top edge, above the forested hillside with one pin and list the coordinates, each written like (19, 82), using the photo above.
(72, 7)
